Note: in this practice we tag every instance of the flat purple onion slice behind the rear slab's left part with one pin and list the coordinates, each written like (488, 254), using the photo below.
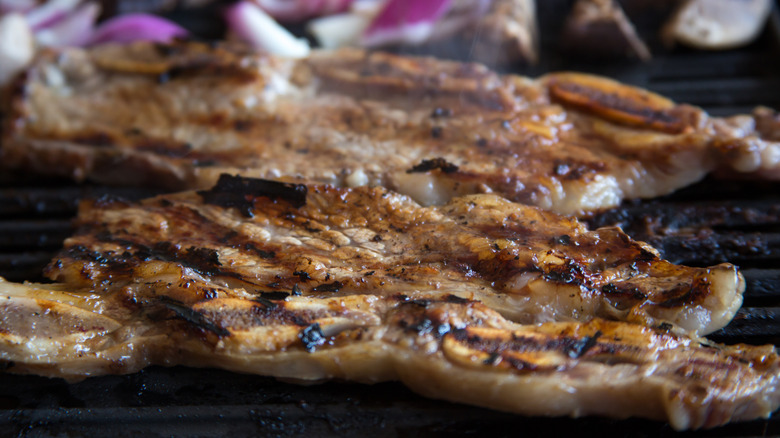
(136, 27)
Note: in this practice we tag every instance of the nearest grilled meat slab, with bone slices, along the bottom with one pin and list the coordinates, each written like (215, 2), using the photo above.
(441, 346)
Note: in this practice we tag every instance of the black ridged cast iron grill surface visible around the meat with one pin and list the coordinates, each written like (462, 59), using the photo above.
(711, 222)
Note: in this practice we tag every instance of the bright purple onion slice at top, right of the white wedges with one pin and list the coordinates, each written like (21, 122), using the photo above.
(405, 22)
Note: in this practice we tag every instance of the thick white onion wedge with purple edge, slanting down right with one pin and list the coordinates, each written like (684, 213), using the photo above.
(253, 25)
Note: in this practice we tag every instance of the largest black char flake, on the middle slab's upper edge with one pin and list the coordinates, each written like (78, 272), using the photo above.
(240, 192)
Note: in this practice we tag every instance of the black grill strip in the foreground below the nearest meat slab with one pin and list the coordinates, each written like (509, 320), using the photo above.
(187, 402)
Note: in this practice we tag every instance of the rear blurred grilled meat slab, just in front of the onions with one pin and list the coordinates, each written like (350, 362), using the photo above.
(178, 116)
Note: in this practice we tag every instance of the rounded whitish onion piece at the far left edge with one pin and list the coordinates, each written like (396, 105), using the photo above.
(16, 45)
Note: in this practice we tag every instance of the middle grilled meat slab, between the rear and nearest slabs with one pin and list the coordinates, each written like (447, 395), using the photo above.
(530, 265)
